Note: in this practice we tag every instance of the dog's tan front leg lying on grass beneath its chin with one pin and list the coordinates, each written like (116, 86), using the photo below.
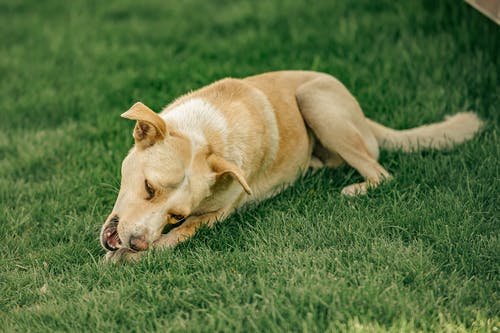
(187, 229)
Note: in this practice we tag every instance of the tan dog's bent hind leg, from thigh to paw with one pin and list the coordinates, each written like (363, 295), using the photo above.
(339, 124)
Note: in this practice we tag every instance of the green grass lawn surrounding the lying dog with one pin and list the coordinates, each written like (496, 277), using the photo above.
(421, 253)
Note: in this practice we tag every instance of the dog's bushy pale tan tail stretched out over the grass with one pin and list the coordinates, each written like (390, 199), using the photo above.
(454, 129)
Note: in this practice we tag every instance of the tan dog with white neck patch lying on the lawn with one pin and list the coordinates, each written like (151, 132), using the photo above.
(242, 140)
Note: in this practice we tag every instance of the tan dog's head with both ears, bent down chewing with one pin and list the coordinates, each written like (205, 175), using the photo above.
(165, 178)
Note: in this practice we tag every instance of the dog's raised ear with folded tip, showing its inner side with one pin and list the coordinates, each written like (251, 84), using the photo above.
(150, 128)
